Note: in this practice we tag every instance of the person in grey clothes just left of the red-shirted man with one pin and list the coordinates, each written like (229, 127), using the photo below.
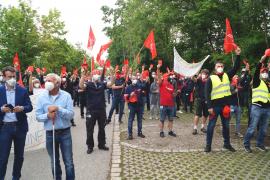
(154, 97)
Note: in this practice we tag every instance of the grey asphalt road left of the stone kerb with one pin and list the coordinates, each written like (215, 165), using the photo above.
(87, 167)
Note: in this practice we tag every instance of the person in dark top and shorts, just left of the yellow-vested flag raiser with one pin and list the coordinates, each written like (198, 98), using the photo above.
(200, 102)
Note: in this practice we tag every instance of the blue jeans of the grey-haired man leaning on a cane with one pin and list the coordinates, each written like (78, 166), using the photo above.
(64, 142)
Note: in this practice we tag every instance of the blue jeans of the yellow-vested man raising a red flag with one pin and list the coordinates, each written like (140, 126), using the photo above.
(212, 124)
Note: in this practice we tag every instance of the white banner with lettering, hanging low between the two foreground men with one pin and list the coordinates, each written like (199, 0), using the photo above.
(35, 138)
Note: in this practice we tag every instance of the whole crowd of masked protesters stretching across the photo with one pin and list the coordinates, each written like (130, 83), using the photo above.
(206, 95)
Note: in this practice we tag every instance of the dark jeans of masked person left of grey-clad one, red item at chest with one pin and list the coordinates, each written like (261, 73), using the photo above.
(135, 109)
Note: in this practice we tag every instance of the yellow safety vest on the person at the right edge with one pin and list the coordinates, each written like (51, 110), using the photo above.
(261, 93)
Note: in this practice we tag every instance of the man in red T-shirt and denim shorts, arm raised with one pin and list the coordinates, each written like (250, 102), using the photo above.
(167, 93)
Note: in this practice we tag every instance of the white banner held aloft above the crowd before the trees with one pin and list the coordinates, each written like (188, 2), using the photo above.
(184, 68)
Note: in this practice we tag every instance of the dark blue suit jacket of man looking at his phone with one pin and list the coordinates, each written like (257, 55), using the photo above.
(21, 99)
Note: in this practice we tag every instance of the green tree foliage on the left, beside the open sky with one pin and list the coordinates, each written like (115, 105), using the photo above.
(39, 40)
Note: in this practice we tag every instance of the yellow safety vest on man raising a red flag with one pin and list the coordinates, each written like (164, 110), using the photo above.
(220, 88)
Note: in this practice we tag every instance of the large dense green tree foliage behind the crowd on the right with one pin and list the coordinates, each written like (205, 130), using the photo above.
(195, 27)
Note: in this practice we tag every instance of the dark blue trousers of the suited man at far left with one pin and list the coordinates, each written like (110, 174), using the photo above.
(9, 133)
